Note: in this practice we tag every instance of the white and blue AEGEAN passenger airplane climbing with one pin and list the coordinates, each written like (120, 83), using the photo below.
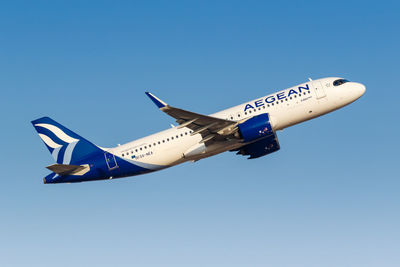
(249, 129)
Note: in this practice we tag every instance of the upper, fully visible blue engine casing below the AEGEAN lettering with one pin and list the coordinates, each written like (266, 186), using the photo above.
(255, 128)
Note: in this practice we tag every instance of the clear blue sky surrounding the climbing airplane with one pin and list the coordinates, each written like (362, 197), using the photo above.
(329, 197)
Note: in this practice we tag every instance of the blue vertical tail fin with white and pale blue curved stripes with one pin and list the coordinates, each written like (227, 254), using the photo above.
(65, 146)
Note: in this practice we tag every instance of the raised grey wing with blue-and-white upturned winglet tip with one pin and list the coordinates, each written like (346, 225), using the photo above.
(209, 127)
